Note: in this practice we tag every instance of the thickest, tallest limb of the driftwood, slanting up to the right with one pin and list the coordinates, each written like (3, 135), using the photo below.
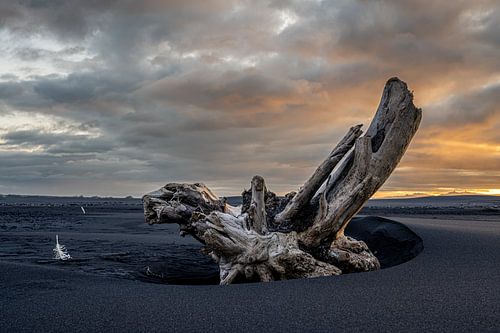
(376, 155)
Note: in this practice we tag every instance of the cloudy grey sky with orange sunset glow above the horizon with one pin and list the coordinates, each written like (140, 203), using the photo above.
(118, 98)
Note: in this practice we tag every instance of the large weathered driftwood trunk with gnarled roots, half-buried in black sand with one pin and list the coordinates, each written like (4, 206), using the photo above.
(301, 234)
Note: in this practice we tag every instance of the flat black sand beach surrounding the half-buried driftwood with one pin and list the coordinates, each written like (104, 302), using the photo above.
(451, 286)
